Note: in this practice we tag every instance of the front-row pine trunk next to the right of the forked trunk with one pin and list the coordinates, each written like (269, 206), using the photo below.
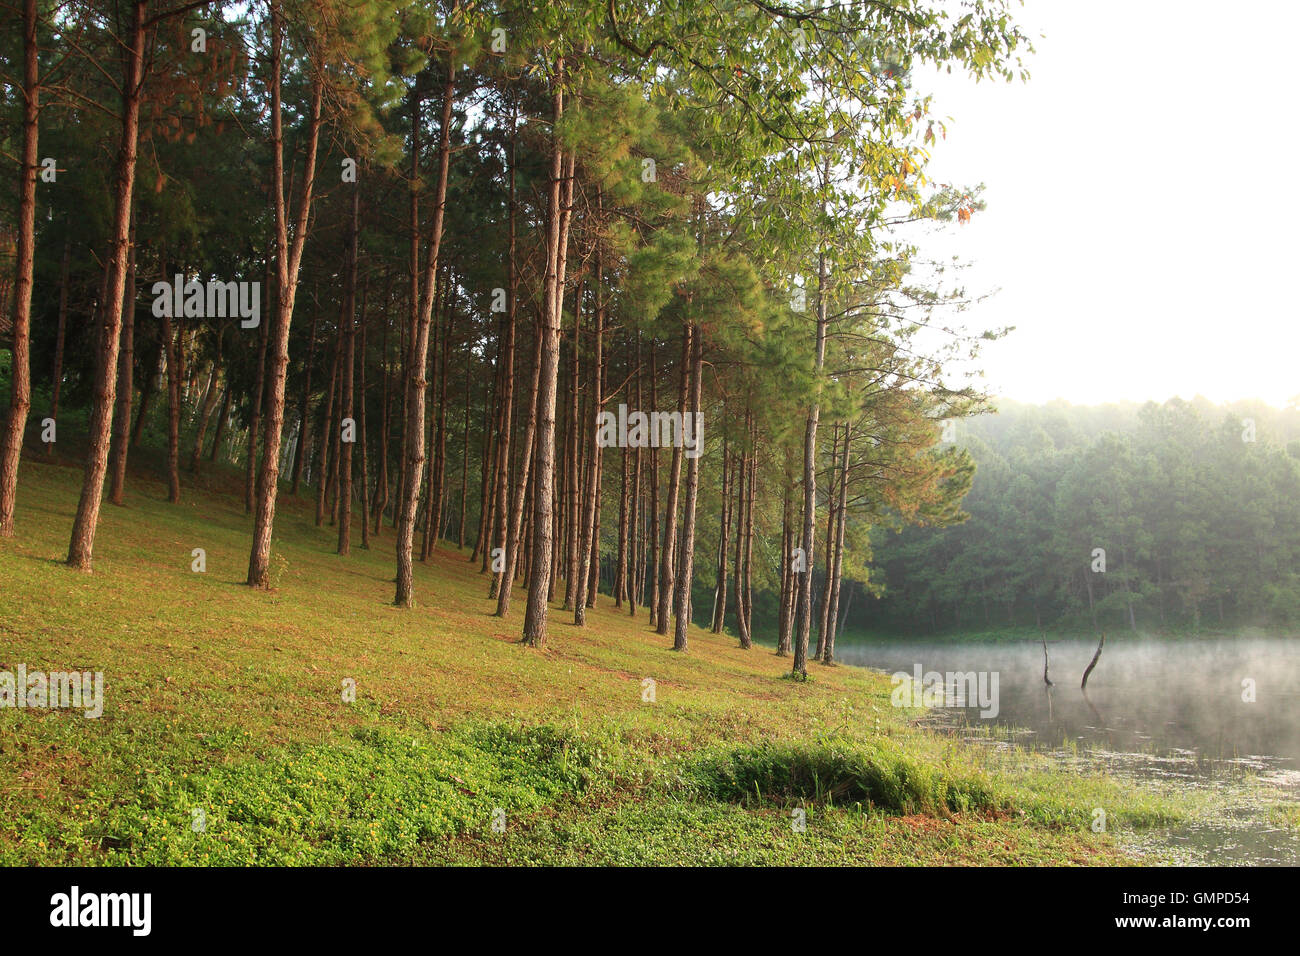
(418, 360)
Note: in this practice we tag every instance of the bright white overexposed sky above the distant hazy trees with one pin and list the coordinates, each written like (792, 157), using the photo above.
(1142, 222)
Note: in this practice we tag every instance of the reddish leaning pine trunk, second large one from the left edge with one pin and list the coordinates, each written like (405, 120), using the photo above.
(83, 544)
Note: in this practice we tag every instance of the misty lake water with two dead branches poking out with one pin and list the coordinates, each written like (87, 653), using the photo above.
(1171, 713)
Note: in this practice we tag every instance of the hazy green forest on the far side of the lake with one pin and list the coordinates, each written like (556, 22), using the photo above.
(1191, 509)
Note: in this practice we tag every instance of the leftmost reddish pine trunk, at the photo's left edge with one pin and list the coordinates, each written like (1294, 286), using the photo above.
(20, 393)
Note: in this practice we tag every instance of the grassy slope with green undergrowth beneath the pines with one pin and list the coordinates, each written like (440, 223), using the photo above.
(226, 737)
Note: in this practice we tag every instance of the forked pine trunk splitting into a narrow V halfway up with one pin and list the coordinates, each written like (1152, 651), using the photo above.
(288, 262)
